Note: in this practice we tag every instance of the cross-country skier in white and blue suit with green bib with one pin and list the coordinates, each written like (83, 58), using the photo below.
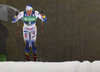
(29, 28)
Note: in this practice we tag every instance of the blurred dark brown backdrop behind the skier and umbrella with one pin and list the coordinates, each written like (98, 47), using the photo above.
(71, 33)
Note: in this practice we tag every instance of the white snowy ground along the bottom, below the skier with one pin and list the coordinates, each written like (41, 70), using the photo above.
(74, 66)
